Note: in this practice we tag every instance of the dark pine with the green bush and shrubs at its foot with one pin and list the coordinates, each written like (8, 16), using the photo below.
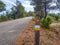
(46, 18)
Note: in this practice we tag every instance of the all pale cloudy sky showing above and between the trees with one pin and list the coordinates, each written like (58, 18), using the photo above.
(27, 5)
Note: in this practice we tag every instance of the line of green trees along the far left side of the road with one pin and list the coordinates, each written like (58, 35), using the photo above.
(15, 13)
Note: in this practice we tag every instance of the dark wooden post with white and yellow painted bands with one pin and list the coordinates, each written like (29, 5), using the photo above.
(37, 30)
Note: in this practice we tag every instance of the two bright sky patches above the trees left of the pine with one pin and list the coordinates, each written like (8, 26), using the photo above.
(25, 3)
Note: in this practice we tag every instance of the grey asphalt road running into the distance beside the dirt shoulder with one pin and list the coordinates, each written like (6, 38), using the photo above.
(10, 30)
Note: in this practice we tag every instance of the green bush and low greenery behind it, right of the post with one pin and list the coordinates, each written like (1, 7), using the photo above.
(51, 18)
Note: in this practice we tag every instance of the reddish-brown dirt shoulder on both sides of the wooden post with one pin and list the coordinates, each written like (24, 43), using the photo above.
(47, 36)
